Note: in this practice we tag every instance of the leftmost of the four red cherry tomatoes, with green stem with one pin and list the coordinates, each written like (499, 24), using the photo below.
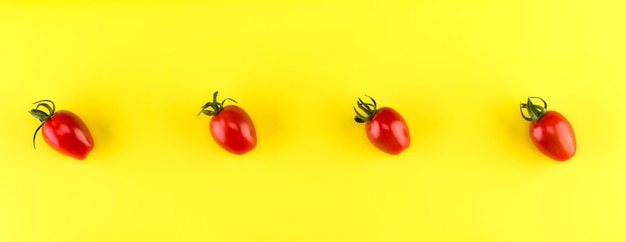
(63, 130)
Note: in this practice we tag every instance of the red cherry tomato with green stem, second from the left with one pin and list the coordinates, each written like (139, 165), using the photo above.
(231, 127)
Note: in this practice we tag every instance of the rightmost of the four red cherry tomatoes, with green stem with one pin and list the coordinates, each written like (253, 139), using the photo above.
(551, 133)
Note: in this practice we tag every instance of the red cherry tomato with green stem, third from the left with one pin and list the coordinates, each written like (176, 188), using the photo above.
(385, 128)
